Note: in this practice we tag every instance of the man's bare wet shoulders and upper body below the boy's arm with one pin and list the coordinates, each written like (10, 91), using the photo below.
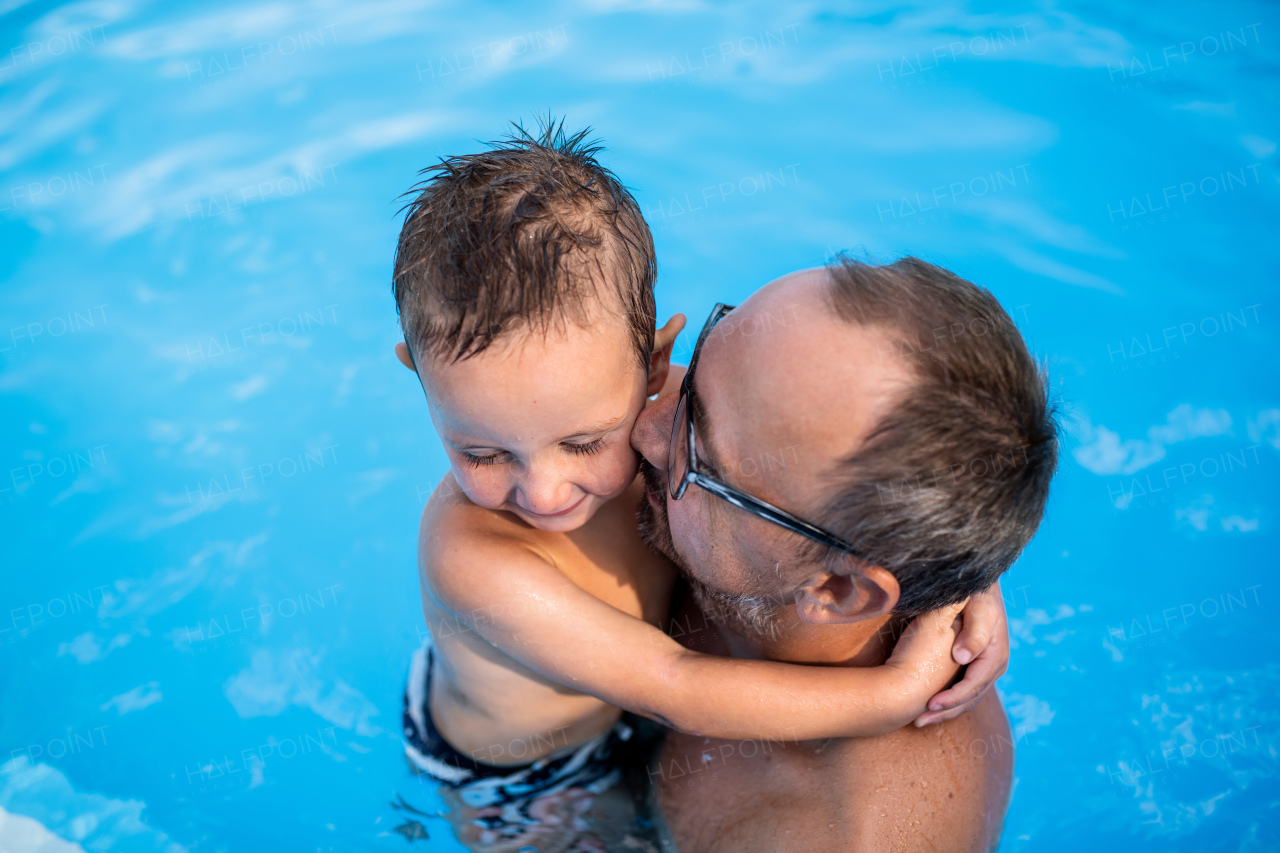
(939, 788)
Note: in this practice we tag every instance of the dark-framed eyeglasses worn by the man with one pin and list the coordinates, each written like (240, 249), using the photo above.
(683, 466)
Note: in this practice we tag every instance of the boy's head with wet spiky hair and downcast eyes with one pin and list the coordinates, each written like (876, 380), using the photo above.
(524, 281)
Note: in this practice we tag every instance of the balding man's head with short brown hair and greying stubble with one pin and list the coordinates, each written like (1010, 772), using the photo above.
(895, 407)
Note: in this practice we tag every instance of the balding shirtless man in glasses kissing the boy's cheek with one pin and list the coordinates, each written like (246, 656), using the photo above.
(852, 448)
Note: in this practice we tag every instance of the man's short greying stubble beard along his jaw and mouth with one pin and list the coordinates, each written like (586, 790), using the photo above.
(753, 617)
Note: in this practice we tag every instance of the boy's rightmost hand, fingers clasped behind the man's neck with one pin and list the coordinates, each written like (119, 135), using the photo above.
(984, 645)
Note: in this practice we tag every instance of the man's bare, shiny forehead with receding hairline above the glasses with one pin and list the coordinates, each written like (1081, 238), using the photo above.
(784, 377)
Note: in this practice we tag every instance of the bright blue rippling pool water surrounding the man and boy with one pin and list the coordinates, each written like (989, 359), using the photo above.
(213, 467)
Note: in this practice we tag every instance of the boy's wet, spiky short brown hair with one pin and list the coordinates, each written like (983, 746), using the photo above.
(529, 234)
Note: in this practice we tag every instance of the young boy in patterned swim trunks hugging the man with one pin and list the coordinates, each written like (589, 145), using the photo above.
(524, 280)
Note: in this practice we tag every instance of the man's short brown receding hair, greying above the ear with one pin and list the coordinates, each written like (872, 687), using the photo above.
(952, 483)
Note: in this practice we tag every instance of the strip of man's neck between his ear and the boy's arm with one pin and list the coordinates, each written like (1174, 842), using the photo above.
(866, 644)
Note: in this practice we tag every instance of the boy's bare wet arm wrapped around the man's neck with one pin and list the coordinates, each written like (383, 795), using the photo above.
(515, 599)
